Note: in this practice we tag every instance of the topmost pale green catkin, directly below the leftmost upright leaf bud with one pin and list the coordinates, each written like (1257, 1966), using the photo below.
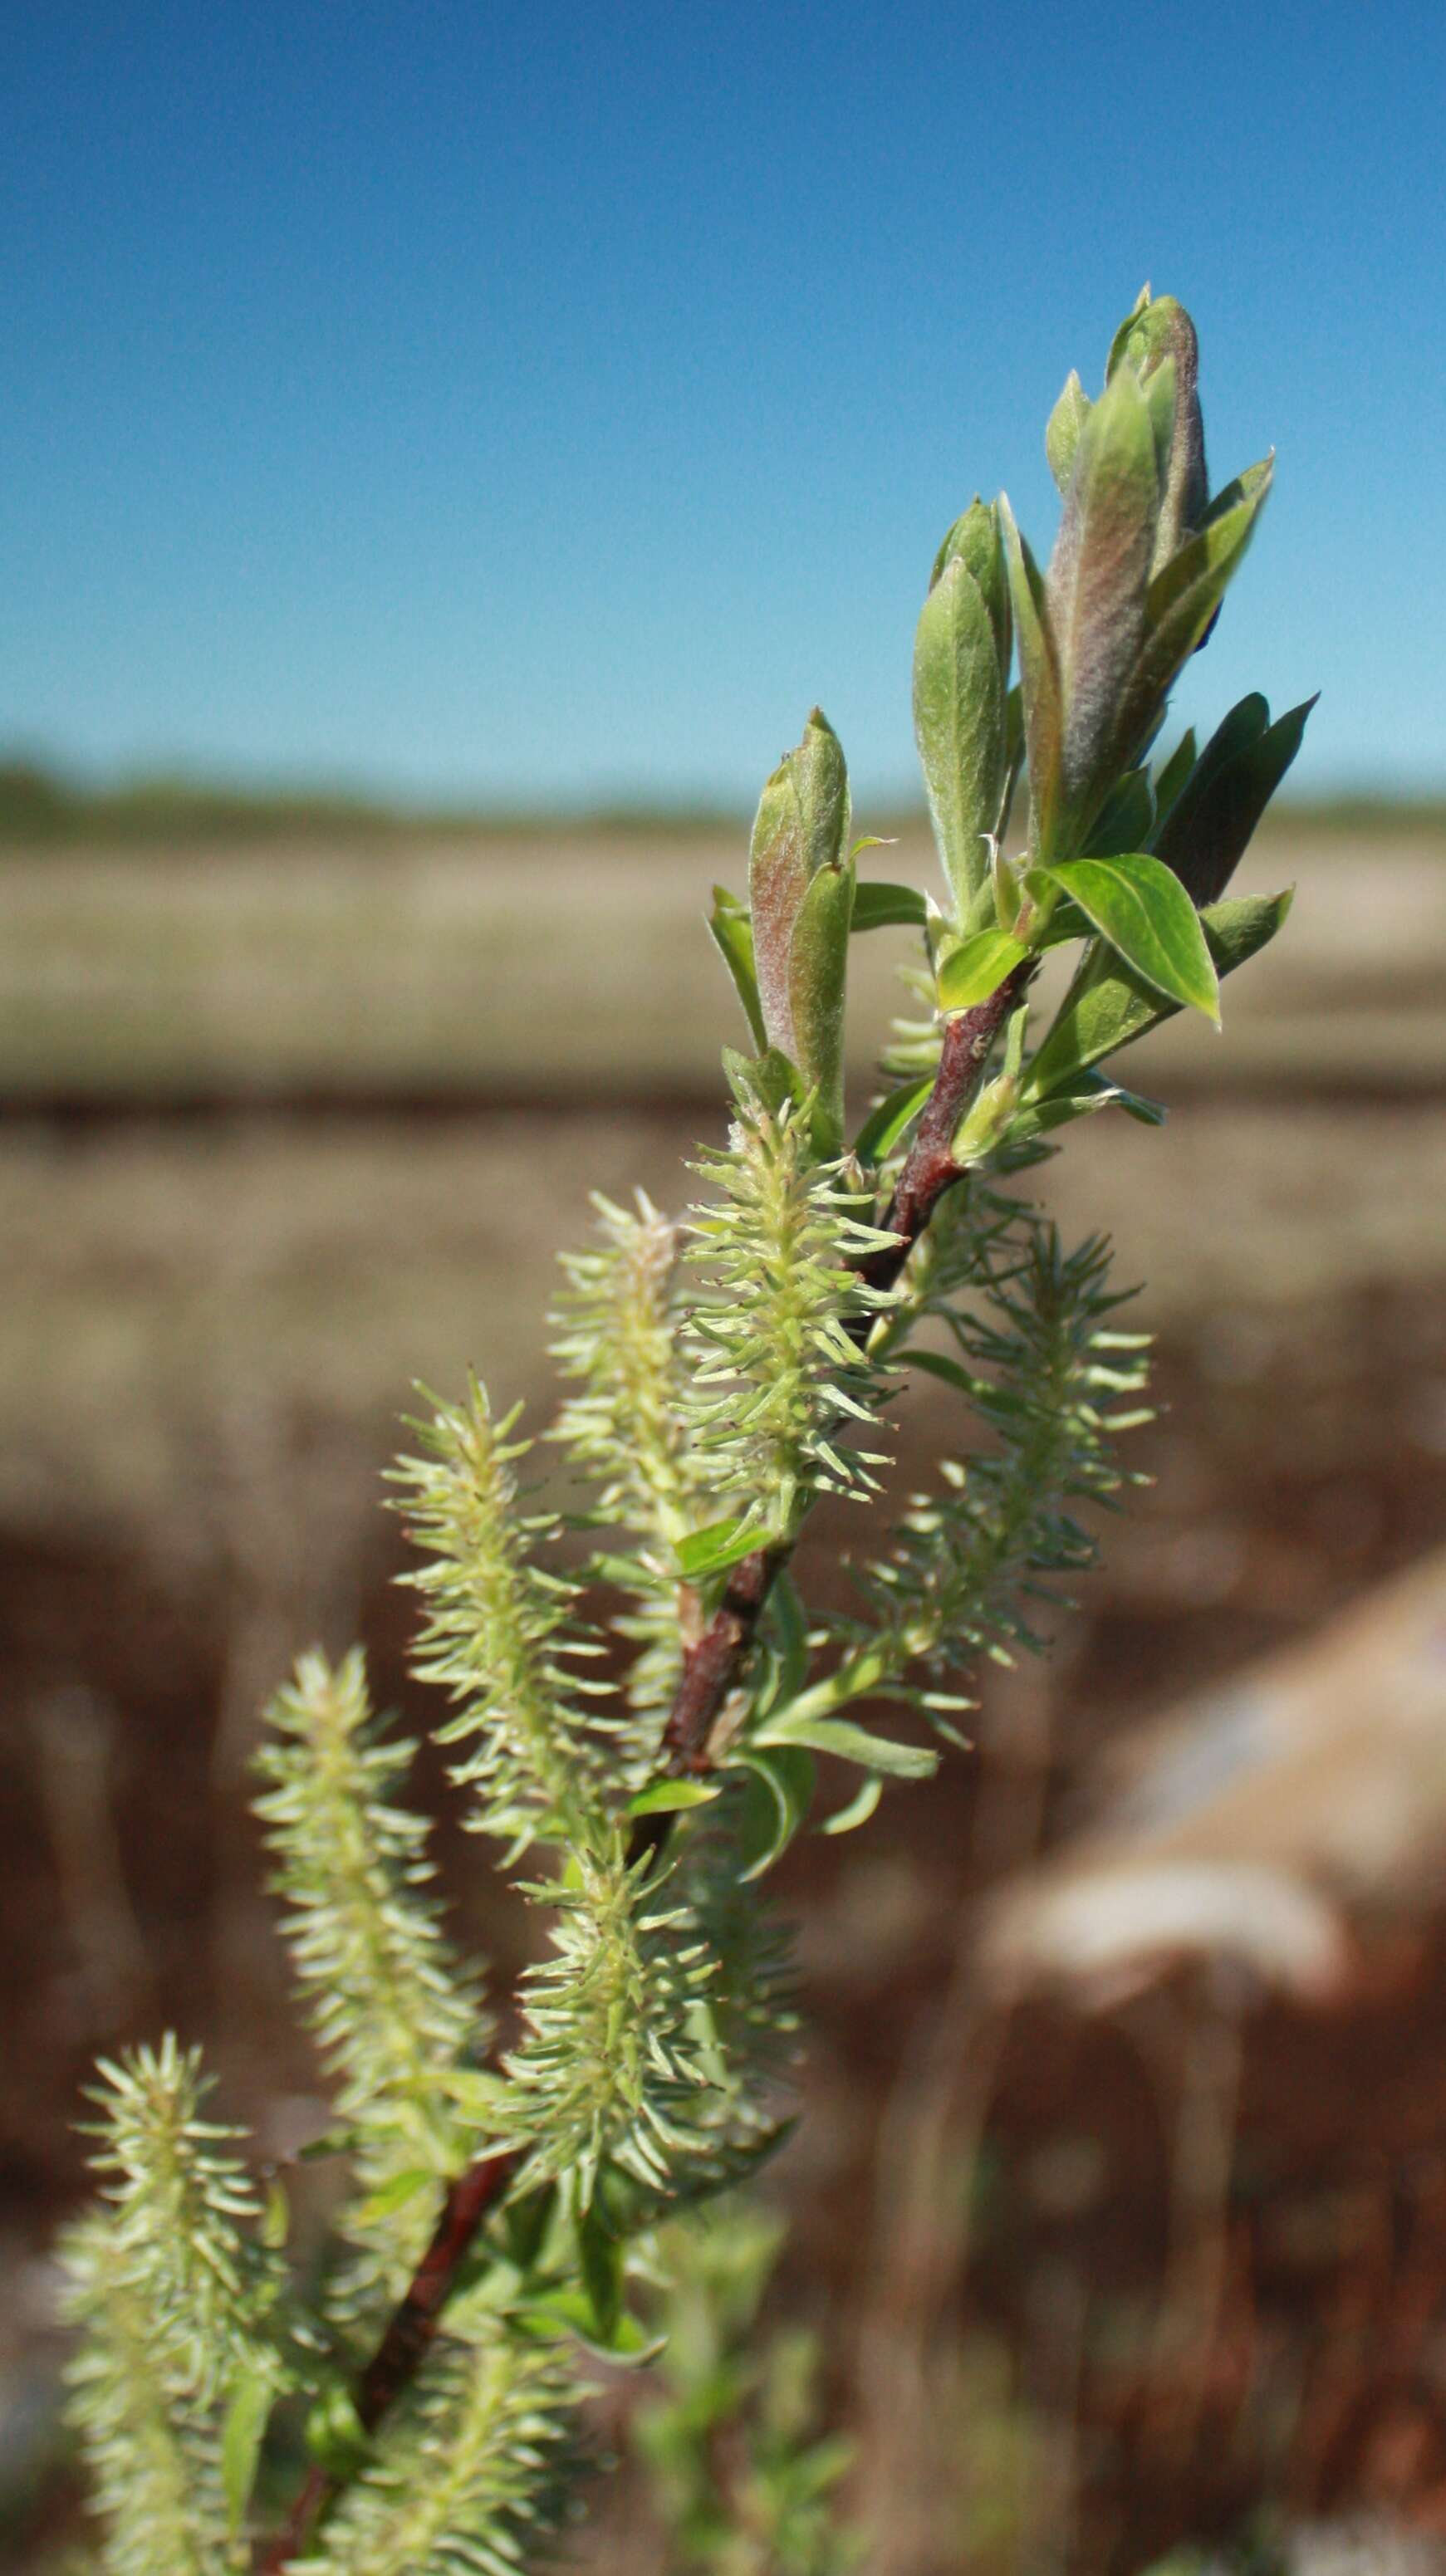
(780, 1323)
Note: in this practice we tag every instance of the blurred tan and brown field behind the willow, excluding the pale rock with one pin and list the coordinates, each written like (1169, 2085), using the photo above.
(295, 1127)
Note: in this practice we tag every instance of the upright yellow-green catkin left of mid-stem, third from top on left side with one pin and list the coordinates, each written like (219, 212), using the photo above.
(494, 1632)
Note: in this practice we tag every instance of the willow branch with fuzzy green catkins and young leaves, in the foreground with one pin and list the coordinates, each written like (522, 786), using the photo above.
(643, 1722)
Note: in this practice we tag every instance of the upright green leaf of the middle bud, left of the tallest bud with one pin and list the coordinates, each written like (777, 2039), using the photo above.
(960, 725)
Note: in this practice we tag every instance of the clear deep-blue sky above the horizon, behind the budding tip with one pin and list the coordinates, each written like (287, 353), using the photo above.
(553, 401)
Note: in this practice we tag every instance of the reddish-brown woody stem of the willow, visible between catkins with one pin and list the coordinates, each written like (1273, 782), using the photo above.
(713, 1671)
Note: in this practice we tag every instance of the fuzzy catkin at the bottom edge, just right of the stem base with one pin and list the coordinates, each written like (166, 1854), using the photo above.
(473, 2479)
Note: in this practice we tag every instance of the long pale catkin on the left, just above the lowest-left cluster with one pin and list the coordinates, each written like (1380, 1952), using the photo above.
(393, 2011)
